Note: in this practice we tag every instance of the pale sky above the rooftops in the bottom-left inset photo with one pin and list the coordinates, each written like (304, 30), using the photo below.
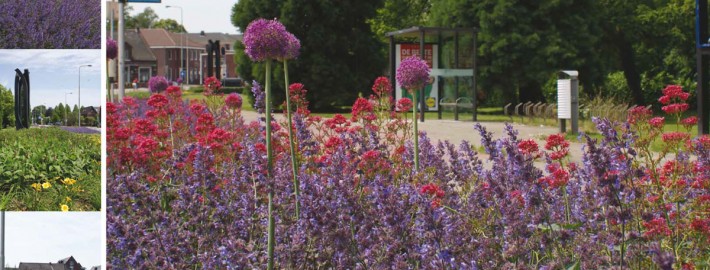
(51, 236)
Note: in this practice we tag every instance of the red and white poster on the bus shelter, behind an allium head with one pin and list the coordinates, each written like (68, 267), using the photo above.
(431, 56)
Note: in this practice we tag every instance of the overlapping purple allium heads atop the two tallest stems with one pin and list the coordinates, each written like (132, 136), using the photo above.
(266, 39)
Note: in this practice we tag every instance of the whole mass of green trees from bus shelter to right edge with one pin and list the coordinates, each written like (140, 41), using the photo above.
(622, 48)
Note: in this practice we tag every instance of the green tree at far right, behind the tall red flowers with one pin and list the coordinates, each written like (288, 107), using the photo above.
(651, 42)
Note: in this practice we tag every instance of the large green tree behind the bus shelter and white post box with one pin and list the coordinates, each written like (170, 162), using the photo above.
(521, 43)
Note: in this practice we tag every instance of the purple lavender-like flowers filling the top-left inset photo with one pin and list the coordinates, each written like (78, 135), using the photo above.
(57, 24)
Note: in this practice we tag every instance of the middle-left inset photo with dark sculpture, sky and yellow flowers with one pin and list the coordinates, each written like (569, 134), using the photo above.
(50, 130)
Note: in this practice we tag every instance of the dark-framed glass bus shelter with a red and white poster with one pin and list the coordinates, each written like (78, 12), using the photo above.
(450, 53)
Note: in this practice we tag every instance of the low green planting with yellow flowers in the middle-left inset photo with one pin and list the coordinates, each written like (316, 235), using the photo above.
(36, 156)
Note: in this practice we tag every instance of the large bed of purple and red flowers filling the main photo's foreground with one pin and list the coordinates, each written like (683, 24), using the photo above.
(188, 185)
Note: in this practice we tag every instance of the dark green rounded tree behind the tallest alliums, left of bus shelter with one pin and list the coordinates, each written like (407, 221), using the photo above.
(340, 56)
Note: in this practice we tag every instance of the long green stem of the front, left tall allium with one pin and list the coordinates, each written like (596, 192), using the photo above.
(269, 164)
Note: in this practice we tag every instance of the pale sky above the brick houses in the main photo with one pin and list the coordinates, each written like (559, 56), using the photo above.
(210, 16)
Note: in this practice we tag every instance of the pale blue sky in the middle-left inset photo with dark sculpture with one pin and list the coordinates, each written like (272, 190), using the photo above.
(53, 73)
